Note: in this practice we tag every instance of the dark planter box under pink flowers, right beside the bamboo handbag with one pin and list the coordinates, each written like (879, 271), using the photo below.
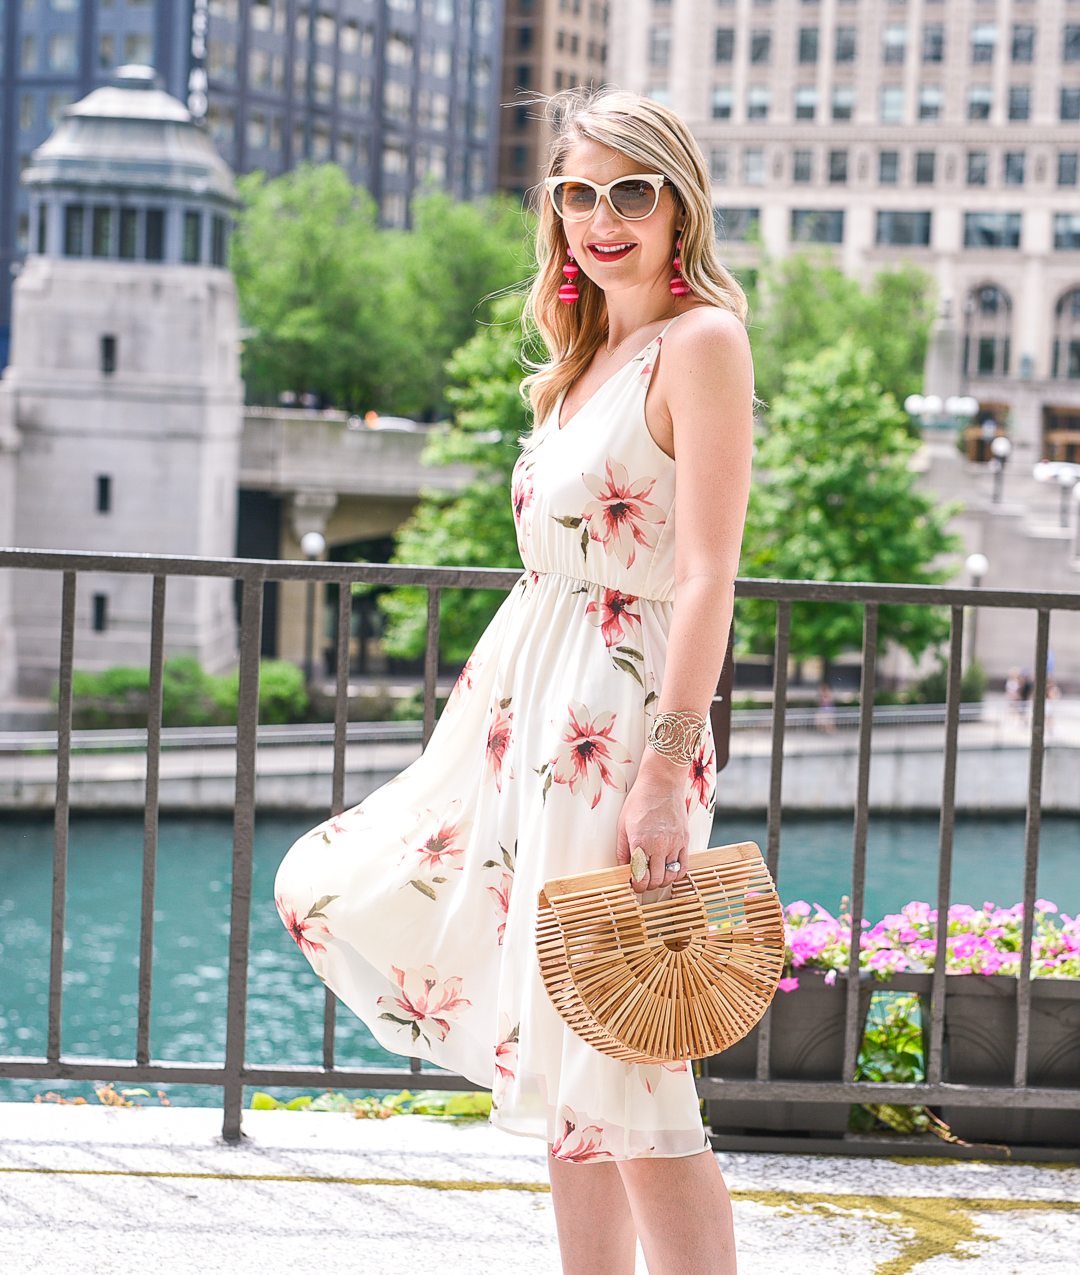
(808, 1045)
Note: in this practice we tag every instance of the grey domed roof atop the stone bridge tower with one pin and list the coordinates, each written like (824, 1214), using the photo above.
(135, 137)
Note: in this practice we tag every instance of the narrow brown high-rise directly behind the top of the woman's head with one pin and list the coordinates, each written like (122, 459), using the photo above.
(549, 45)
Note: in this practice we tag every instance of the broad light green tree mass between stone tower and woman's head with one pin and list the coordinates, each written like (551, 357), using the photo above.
(363, 317)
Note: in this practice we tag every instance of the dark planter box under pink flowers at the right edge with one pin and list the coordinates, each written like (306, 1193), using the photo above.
(981, 1050)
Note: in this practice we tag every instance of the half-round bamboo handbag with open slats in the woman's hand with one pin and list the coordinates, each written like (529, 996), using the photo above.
(680, 979)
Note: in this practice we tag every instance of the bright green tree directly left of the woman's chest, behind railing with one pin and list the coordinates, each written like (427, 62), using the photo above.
(472, 527)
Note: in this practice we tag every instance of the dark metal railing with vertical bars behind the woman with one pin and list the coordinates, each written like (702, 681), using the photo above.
(235, 1074)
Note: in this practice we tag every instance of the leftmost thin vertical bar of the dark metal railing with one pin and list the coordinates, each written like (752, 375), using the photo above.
(62, 818)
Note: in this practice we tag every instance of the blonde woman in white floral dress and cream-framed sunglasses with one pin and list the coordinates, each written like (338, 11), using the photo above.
(577, 736)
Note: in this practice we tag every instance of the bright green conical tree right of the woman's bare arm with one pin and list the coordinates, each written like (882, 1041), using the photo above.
(836, 500)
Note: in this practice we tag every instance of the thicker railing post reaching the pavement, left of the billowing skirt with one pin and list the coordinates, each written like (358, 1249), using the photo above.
(243, 854)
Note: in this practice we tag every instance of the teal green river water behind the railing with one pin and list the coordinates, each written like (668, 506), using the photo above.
(286, 999)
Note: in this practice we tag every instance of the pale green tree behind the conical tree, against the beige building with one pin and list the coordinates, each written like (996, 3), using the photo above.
(803, 305)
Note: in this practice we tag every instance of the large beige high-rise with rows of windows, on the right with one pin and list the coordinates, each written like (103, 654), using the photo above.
(940, 132)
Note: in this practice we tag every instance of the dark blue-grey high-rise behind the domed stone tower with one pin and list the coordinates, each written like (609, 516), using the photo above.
(400, 92)
